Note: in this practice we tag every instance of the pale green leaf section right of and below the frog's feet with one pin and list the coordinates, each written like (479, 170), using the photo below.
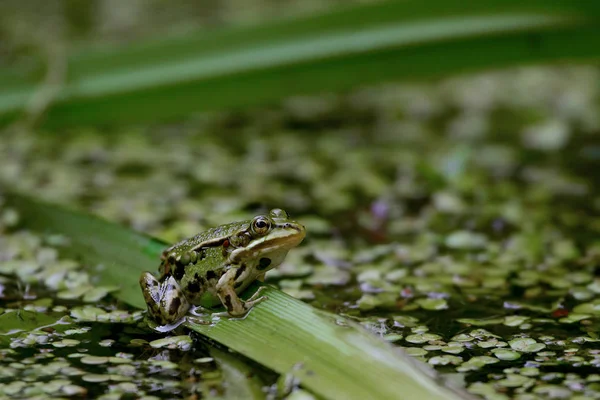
(318, 348)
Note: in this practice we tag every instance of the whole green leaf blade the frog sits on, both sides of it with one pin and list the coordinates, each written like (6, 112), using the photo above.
(331, 356)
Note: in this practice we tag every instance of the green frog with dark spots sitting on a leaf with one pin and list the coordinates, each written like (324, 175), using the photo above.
(219, 263)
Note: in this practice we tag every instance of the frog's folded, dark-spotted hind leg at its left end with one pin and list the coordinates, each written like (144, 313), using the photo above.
(166, 301)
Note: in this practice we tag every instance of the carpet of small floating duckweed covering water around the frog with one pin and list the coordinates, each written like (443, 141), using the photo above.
(460, 224)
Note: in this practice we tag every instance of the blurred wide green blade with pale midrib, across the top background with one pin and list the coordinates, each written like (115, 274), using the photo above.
(240, 67)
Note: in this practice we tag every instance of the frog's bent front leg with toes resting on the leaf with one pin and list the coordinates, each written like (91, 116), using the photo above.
(225, 289)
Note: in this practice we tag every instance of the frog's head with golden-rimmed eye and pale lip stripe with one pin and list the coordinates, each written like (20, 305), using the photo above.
(266, 240)
